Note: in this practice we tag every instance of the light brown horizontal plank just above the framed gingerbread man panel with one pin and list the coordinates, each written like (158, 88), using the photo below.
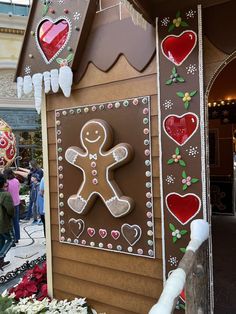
(125, 89)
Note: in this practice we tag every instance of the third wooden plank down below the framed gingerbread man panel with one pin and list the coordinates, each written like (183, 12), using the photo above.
(114, 297)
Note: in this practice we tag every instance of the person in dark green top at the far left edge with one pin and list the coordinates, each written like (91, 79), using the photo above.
(7, 212)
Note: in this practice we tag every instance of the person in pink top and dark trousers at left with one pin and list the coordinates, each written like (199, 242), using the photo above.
(13, 187)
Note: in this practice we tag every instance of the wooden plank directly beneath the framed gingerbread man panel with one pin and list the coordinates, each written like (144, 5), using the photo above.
(144, 266)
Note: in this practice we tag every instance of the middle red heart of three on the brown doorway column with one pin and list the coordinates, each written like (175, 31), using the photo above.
(181, 128)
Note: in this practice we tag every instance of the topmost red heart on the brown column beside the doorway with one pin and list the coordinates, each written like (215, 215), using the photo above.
(178, 48)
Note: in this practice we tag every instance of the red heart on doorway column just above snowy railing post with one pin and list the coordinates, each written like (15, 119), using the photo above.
(183, 207)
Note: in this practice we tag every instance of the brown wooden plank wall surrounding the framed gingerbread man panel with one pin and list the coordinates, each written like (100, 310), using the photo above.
(113, 283)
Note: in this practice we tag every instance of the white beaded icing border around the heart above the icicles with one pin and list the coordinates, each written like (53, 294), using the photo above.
(54, 21)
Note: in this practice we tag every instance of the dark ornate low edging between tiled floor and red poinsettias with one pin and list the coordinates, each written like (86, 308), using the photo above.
(19, 270)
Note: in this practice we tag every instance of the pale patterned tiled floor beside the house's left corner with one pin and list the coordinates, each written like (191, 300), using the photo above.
(30, 246)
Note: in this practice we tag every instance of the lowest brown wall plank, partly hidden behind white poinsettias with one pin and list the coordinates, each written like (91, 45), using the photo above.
(98, 306)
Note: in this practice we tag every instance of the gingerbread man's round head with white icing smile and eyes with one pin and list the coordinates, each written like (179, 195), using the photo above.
(95, 134)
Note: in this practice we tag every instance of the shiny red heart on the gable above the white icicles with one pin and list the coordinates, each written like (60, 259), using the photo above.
(51, 37)
